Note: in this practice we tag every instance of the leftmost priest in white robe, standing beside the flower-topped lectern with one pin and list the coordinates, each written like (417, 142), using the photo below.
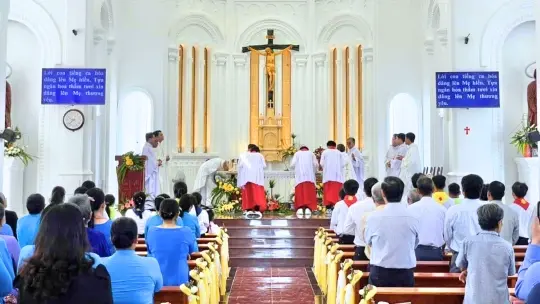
(151, 168)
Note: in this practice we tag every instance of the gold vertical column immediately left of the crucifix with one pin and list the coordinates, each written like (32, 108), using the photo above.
(254, 98)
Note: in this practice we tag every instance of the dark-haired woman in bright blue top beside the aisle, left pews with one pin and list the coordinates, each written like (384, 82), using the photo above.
(171, 245)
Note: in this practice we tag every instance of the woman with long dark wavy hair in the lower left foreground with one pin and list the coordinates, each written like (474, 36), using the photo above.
(58, 268)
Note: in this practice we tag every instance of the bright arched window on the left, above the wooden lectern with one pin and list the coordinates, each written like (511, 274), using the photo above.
(135, 119)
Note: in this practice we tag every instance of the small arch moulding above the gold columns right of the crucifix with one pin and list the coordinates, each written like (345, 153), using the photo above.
(343, 20)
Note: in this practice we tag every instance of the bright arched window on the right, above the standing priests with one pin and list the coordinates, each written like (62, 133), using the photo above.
(404, 116)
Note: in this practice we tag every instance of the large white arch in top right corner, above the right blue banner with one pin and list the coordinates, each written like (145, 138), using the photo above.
(506, 18)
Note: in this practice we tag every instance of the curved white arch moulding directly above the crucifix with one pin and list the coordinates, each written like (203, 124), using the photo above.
(281, 26)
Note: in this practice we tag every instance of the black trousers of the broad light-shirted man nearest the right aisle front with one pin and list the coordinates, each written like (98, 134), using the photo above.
(391, 277)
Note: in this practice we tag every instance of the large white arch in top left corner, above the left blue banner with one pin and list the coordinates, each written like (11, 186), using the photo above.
(39, 21)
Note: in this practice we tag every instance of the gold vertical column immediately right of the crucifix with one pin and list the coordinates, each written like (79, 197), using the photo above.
(286, 97)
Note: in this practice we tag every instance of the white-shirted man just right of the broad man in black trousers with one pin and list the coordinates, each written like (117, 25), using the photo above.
(430, 215)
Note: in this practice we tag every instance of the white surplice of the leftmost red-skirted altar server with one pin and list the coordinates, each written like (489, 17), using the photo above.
(251, 169)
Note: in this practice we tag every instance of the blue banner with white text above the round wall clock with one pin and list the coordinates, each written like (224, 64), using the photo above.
(64, 86)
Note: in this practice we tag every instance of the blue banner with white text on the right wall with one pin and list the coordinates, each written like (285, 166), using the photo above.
(467, 89)
